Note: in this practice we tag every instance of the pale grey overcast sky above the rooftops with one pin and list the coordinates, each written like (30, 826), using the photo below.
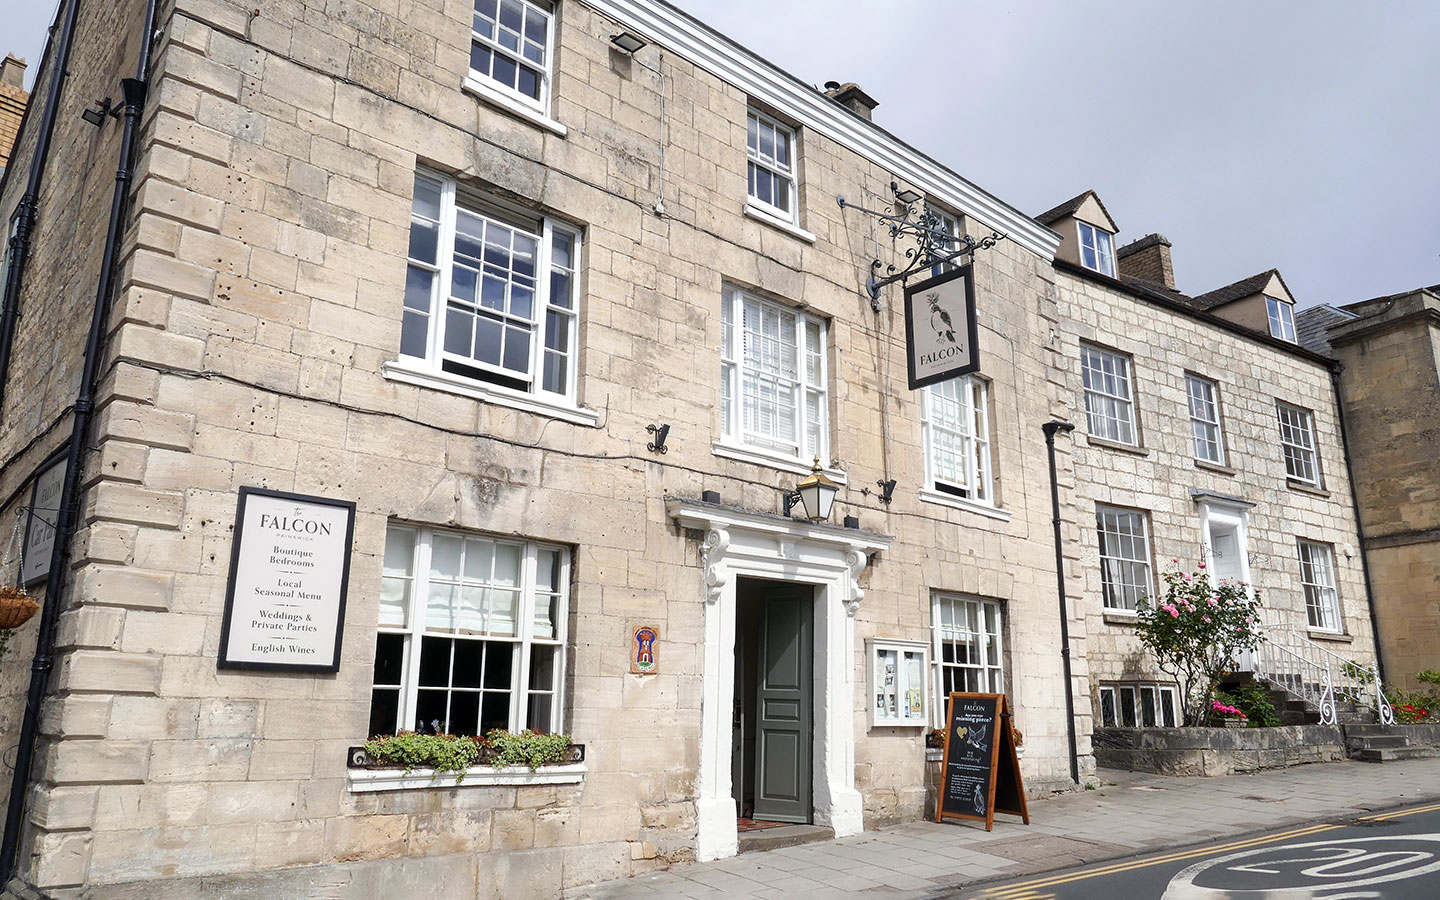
(1301, 136)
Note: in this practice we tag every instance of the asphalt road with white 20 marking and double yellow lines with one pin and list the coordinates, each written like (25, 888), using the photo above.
(1393, 856)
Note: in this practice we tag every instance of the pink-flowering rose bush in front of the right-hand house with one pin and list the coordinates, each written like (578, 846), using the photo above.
(1197, 631)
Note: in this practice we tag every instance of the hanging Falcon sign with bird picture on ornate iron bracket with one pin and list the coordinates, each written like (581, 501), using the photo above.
(940, 328)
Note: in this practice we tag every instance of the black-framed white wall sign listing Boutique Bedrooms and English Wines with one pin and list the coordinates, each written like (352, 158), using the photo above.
(290, 567)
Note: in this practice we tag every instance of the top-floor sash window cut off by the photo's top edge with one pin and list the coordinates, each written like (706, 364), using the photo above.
(512, 48)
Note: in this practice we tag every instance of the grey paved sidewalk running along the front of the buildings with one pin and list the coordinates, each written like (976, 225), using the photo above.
(1133, 814)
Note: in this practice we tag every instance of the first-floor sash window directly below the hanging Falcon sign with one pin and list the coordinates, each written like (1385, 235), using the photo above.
(957, 438)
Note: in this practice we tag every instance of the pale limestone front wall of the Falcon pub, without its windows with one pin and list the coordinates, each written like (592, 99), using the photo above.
(261, 300)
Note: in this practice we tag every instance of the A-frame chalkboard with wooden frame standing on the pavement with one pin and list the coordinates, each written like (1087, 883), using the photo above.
(980, 773)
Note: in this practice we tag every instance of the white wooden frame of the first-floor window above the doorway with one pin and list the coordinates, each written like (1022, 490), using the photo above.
(807, 384)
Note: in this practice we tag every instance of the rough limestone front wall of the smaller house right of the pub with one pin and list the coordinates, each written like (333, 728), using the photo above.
(1161, 476)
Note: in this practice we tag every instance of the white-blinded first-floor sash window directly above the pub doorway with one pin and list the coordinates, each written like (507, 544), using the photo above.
(773, 378)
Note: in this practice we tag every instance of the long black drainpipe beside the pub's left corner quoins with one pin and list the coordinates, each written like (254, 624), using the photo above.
(135, 93)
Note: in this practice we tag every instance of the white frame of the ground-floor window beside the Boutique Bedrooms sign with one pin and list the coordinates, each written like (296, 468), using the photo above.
(414, 626)
